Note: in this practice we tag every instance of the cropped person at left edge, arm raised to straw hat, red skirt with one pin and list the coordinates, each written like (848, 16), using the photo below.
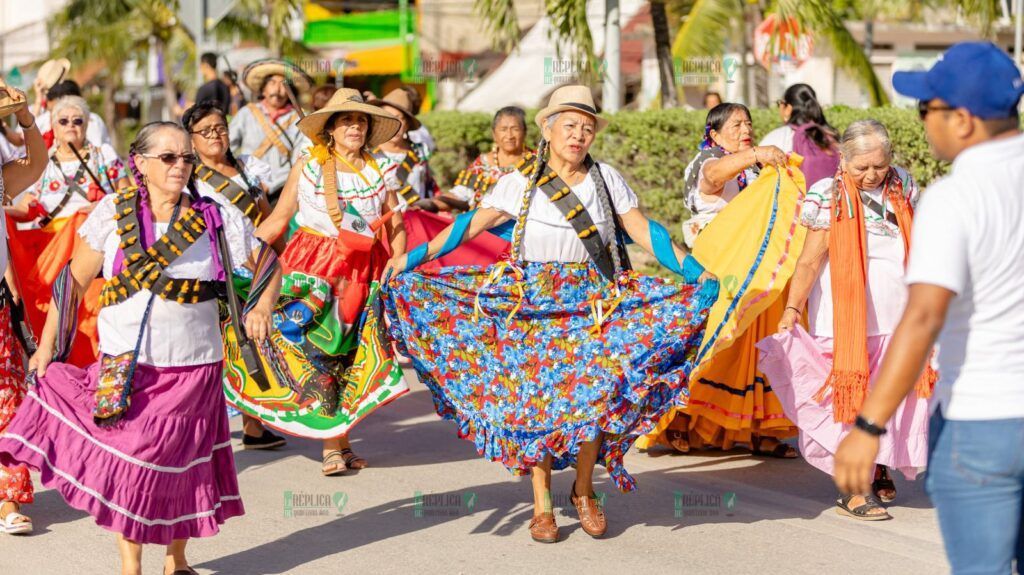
(16, 175)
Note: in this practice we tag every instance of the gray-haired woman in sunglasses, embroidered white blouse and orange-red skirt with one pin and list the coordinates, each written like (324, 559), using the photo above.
(77, 178)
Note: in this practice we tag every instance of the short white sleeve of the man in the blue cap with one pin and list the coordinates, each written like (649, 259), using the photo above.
(940, 247)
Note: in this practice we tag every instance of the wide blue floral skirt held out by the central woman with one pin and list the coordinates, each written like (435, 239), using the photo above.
(536, 361)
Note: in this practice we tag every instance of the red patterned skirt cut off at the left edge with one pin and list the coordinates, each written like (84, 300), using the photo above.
(16, 485)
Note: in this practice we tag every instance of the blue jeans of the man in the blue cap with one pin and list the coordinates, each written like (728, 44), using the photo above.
(976, 480)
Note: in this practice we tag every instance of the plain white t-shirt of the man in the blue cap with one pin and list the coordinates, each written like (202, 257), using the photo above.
(968, 239)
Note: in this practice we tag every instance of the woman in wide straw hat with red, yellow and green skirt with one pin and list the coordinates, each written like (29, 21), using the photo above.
(344, 200)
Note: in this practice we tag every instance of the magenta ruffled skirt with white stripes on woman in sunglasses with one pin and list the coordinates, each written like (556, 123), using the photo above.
(165, 472)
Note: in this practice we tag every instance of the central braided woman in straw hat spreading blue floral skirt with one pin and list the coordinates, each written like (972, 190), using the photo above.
(561, 356)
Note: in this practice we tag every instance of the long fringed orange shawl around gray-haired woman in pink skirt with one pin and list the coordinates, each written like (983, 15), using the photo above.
(848, 258)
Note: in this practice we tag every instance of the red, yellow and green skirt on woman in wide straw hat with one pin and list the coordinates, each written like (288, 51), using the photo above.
(328, 364)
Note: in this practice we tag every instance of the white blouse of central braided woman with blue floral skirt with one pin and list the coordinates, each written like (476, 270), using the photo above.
(549, 238)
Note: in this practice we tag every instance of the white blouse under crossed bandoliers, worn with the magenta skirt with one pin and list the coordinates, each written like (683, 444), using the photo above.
(178, 335)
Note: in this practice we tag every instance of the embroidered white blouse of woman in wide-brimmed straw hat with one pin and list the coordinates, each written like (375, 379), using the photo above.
(369, 200)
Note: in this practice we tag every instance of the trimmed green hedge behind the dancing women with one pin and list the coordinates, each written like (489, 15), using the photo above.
(653, 149)
